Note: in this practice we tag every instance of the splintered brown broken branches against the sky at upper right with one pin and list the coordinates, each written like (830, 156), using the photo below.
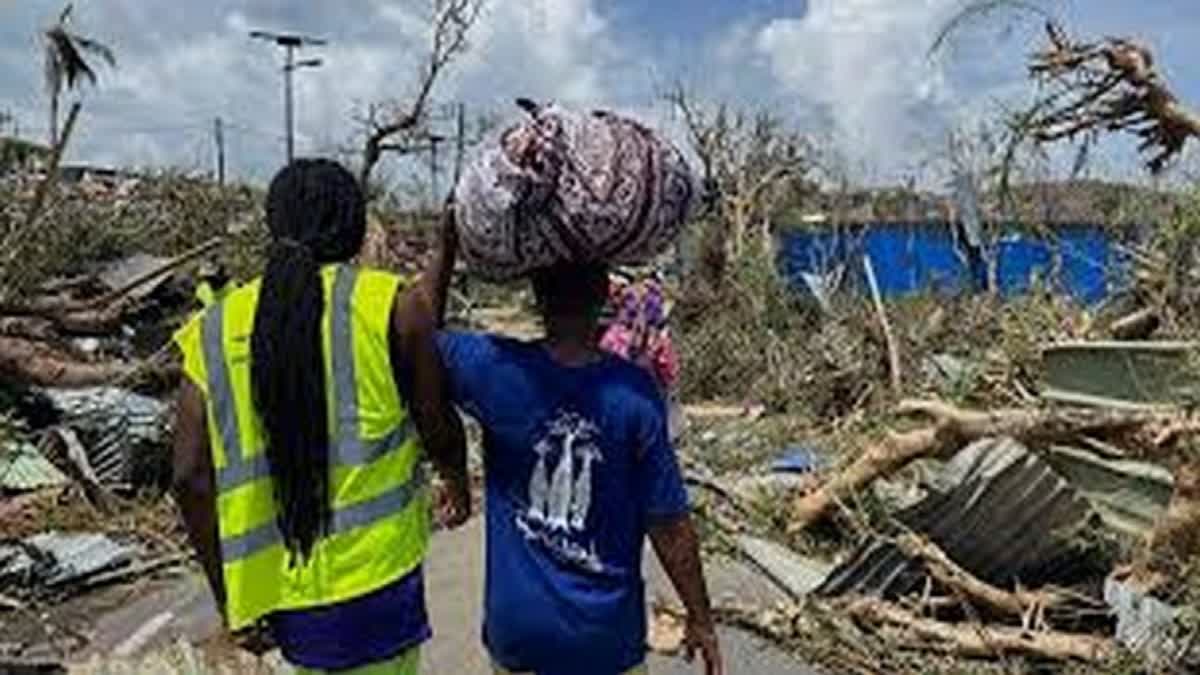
(1112, 86)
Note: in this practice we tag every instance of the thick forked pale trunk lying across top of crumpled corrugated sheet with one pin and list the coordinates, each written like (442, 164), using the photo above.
(955, 428)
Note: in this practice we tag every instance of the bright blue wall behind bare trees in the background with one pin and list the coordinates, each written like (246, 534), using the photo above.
(1081, 261)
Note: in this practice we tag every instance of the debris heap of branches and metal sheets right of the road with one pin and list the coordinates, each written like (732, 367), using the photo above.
(1034, 507)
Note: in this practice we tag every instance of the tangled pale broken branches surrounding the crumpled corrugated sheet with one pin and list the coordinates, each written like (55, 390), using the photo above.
(958, 614)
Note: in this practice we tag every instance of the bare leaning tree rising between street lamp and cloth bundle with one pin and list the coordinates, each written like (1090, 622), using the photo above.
(397, 126)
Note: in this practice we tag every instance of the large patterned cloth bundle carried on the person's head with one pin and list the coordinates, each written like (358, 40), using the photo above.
(565, 187)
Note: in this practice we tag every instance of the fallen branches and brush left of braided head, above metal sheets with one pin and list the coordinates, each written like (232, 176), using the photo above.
(55, 237)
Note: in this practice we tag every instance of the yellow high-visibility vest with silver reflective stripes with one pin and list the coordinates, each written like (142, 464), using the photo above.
(381, 523)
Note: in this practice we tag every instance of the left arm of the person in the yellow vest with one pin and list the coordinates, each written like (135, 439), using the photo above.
(195, 486)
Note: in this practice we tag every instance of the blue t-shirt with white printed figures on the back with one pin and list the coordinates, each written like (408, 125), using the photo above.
(578, 464)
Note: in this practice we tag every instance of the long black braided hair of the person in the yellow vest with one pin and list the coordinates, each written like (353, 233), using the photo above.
(317, 216)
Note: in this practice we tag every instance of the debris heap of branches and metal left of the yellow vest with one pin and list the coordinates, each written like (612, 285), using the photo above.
(94, 283)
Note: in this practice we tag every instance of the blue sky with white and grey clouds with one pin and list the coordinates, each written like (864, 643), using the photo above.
(856, 73)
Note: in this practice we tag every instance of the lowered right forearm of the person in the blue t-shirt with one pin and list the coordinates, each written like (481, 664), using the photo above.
(679, 549)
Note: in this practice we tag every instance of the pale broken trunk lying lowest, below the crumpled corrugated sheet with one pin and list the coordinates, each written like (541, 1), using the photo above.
(983, 642)
